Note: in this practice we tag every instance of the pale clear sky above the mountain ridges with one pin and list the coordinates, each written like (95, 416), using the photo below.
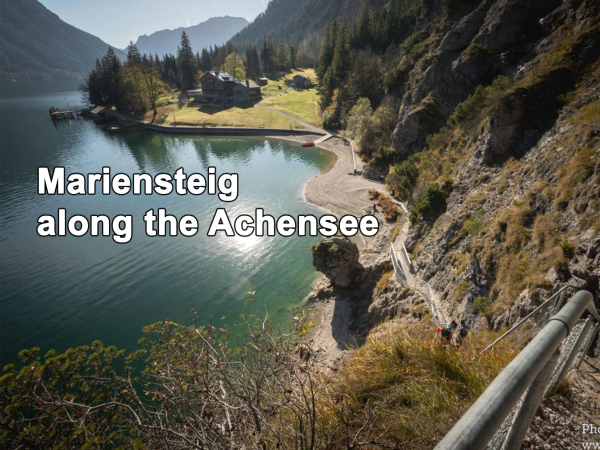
(118, 22)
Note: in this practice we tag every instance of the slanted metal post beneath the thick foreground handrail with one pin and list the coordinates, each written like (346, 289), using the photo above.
(533, 398)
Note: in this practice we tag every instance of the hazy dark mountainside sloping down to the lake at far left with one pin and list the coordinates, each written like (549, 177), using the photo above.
(36, 43)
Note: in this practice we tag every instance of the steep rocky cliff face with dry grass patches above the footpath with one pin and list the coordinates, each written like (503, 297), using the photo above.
(522, 154)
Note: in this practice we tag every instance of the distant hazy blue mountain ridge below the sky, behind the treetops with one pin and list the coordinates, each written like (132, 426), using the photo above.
(215, 31)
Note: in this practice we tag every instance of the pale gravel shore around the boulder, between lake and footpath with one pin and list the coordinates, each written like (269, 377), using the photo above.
(346, 301)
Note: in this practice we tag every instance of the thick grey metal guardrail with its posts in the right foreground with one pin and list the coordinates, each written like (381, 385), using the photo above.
(534, 371)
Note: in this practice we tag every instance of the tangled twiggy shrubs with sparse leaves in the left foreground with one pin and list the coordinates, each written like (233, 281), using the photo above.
(191, 381)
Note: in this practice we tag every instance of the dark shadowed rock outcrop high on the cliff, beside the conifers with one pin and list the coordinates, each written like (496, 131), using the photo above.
(496, 38)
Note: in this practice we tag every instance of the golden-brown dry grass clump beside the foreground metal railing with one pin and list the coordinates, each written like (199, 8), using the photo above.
(407, 390)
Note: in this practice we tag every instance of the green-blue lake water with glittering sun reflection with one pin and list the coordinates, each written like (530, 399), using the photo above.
(59, 292)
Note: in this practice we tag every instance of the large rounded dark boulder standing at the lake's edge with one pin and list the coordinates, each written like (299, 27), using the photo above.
(337, 258)
